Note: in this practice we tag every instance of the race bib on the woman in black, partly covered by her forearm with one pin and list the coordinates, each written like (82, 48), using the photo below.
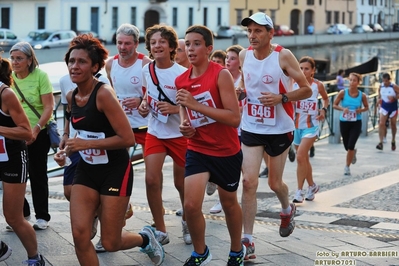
(93, 156)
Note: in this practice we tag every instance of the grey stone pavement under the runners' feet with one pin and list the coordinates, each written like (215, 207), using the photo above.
(352, 221)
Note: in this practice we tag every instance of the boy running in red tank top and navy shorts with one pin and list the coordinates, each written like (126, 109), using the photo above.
(208, 104)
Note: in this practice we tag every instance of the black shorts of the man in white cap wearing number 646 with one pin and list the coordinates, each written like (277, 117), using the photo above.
(275, 144)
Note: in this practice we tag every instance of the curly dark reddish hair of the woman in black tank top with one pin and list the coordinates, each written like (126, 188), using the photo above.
(96, 51)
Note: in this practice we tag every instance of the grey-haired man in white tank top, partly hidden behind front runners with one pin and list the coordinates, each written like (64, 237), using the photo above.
(124, 73)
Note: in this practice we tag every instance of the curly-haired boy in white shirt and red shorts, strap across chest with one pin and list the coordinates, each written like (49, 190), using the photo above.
(163, 137)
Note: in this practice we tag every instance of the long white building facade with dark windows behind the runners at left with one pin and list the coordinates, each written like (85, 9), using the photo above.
(104, 16)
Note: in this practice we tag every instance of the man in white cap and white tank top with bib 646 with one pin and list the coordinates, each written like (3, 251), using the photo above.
(267, 122)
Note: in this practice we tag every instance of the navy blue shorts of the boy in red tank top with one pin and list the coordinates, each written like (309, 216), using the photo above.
(223, 171)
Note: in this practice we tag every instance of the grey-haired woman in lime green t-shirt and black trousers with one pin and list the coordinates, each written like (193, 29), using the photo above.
(36, 87)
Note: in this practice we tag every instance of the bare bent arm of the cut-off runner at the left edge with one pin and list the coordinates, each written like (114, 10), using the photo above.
(12, 106)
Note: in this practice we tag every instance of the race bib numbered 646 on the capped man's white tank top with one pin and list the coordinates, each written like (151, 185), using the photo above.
(260, 114)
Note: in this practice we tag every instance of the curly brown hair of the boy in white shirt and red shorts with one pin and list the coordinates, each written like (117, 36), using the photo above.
(168, 33)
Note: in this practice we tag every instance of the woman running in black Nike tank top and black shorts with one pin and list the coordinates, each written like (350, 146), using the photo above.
(104, 175)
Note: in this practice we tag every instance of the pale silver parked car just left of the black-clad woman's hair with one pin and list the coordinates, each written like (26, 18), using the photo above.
(44, 39)
